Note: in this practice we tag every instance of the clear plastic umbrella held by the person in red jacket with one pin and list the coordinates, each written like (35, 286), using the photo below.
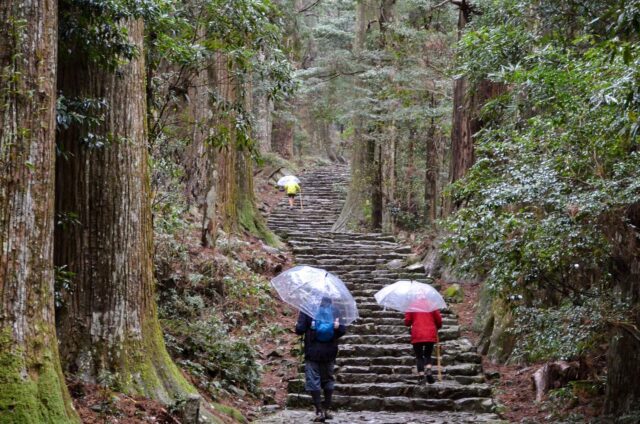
(410, 296)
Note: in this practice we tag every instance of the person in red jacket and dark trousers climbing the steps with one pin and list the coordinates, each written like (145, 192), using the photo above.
(424, 335)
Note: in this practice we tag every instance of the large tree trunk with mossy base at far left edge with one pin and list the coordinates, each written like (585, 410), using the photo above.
(32, 388)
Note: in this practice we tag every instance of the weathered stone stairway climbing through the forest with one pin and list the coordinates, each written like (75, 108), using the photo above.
(375, 367)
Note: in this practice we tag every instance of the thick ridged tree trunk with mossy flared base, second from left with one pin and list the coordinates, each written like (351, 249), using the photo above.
(108, 326)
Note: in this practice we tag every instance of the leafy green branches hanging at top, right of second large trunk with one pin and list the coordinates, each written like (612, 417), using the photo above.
(188, 37)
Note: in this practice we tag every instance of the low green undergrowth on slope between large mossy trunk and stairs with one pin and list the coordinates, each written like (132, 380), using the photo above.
(214, 313)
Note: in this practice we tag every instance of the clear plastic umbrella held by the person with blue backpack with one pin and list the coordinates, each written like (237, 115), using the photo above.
(303, 287)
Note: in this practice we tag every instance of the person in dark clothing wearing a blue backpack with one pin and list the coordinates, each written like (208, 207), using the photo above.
(320, 351)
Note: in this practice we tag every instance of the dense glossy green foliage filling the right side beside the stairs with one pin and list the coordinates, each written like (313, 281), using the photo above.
(557, 163)
